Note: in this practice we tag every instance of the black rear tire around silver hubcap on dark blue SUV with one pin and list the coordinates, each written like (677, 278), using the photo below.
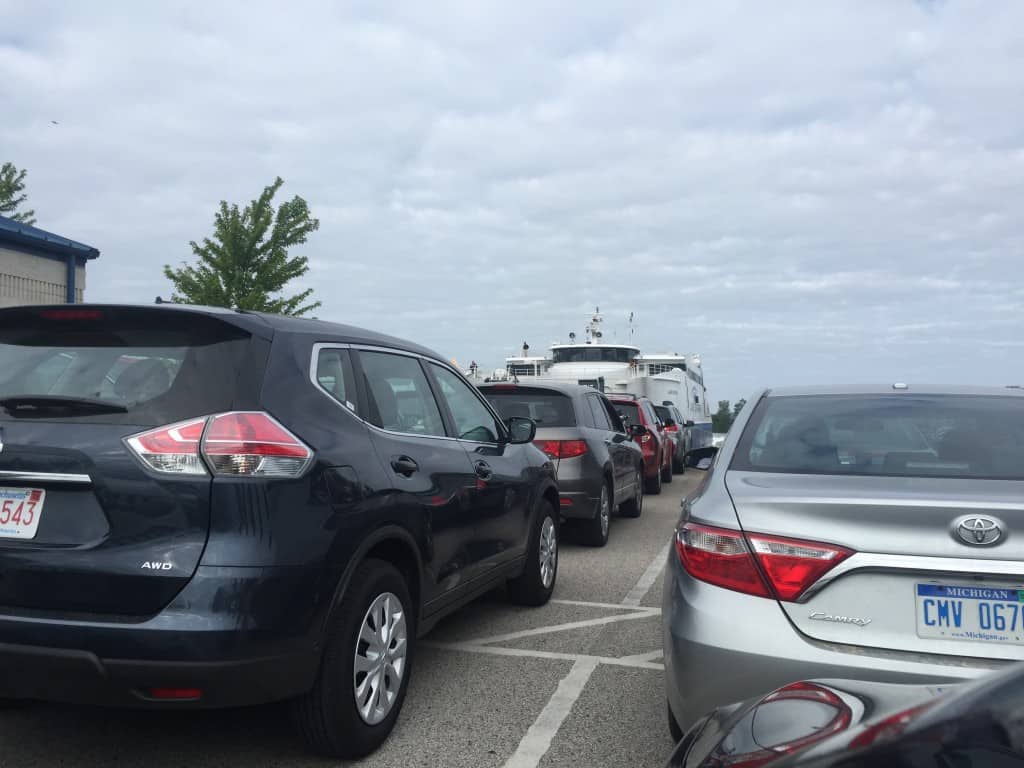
(327, 717)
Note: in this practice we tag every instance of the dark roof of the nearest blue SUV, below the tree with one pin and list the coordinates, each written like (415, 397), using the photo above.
(264, 324)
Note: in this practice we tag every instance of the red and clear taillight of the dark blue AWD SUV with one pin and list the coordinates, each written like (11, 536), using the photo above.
(247, 443)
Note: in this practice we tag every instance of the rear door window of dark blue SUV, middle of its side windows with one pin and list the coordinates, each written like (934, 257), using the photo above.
(399, 397)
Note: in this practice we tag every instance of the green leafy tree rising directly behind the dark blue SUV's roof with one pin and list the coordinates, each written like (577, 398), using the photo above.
(245, 265)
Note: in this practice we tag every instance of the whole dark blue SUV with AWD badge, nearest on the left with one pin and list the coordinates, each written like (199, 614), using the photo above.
(205, 508)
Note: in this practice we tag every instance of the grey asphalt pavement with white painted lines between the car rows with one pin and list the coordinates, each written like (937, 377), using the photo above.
(576, 682)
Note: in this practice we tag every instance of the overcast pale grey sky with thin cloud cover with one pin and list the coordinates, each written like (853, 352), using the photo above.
(803, 193)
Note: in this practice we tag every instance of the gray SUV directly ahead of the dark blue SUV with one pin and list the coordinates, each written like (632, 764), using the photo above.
(599, 465)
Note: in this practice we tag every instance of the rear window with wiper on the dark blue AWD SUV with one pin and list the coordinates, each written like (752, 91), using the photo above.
(157, 371)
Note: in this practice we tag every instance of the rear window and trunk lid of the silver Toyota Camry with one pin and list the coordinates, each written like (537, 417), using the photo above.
(935, 531)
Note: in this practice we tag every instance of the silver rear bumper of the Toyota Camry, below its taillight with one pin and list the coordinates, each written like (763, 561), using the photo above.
(723, 647)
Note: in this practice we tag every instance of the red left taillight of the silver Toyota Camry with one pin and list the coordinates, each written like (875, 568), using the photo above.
(756, 565)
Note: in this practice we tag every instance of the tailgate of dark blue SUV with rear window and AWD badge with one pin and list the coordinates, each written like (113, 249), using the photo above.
(86, 527)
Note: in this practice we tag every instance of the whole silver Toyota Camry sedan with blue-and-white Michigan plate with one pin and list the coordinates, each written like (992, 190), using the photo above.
(874, 534)
